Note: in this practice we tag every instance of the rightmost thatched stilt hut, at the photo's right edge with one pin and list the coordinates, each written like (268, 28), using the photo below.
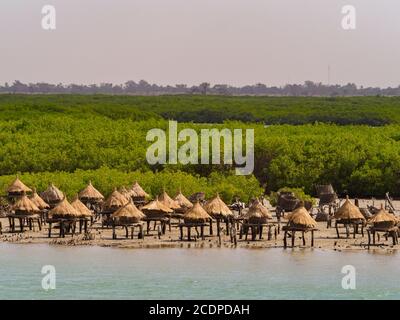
(385, 222)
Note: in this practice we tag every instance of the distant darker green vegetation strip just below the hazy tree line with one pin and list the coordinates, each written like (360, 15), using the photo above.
(210, 109)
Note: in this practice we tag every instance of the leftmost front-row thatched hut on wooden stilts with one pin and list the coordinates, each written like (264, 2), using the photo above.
(25, 211)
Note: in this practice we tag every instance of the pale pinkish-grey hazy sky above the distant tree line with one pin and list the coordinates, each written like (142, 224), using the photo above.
(190, 41)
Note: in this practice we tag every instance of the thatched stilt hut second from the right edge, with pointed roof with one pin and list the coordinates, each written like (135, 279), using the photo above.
(349, 215)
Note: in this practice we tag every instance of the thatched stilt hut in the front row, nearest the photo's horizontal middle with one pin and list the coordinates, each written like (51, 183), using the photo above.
(195, 217)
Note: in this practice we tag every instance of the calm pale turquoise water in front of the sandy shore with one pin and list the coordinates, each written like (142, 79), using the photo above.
(106, 273)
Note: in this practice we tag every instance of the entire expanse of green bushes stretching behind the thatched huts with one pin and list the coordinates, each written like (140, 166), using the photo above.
(71, 139)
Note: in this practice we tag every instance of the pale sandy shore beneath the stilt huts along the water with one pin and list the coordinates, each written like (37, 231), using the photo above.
(325, 238)
